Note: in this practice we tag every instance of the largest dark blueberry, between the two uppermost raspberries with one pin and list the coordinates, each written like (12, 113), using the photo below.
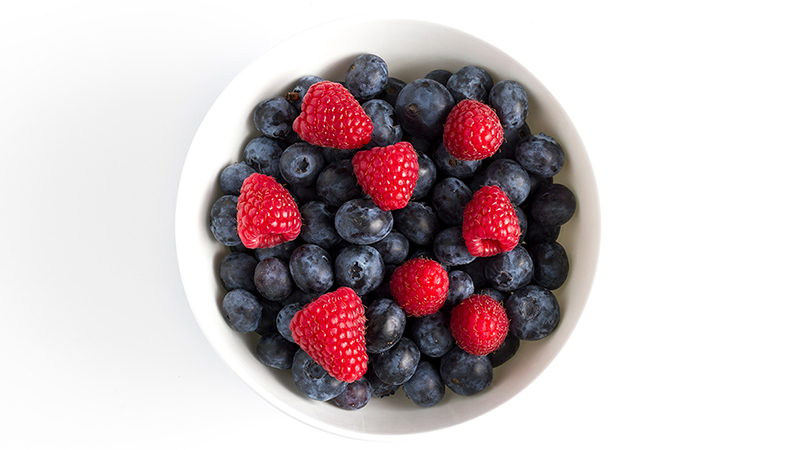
(422, 108)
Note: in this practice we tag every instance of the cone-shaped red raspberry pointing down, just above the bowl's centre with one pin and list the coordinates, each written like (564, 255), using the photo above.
(388, 174)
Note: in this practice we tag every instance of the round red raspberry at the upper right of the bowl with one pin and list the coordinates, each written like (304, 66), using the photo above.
(472, 131)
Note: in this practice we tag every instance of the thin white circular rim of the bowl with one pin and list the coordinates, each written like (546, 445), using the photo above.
(181, 218)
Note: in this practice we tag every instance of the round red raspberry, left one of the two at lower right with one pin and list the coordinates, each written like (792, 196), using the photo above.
(420, 286)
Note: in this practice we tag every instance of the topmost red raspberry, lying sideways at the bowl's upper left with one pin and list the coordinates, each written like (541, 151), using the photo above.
(331, 117)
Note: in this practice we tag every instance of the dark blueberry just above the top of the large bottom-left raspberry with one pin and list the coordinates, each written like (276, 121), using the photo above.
(360, 268)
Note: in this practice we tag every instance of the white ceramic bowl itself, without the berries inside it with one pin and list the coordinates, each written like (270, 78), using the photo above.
(411, 49)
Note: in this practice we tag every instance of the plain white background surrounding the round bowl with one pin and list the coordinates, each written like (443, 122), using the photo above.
(689, 111)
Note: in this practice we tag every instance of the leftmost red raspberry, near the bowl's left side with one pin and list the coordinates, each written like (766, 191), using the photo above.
(266, 214)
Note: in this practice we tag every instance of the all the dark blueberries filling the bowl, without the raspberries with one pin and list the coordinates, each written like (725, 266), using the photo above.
(347, 241)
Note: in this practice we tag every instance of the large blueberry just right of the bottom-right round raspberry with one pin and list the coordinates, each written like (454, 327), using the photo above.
(533, 313)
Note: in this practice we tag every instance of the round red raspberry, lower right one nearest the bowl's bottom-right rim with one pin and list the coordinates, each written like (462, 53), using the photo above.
(479, 324)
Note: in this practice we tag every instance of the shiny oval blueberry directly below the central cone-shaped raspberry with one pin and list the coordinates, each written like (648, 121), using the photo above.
(360, 221)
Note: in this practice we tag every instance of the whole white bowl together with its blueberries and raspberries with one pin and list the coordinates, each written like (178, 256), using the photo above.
(404, 199)
